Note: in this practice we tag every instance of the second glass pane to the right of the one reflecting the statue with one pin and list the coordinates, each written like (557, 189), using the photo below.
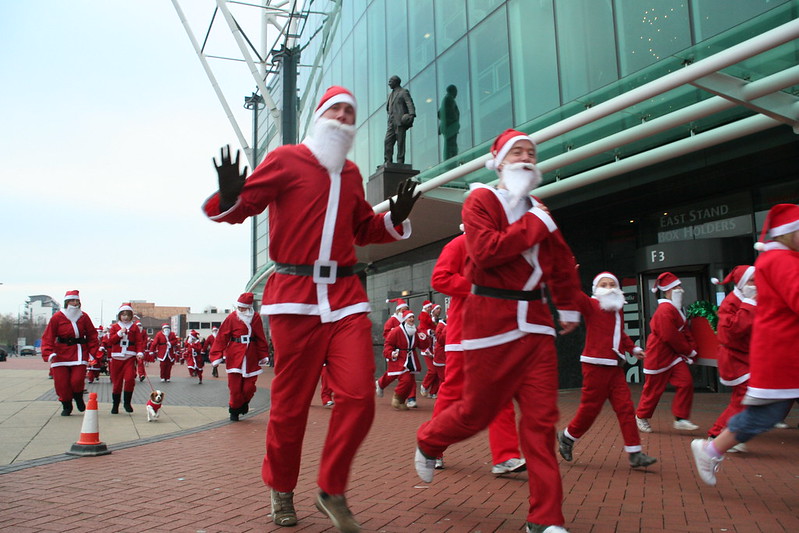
(533, 59)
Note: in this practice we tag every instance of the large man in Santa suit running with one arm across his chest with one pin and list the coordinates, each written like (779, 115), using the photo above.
(514, 249)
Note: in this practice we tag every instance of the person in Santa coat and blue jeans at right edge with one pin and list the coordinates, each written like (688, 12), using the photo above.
(773, 357)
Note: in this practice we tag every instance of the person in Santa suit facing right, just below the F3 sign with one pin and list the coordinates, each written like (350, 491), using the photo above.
(670, 349)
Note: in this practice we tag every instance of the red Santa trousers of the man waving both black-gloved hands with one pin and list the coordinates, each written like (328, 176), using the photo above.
(302, 344)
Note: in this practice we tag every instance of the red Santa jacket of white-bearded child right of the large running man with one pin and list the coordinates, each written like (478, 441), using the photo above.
(605, 339)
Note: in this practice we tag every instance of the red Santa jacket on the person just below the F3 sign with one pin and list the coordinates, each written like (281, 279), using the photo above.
(669, 341)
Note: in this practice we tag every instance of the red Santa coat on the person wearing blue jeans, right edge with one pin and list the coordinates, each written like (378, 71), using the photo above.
(773, 354)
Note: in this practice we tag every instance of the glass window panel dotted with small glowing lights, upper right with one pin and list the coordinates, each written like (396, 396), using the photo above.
(650, 32)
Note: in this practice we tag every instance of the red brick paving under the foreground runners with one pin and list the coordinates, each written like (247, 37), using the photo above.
(210, 482)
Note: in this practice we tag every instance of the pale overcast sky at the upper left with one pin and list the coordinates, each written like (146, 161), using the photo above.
(109, 125)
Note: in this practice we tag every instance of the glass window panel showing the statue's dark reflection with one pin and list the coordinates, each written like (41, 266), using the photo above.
(453, 70)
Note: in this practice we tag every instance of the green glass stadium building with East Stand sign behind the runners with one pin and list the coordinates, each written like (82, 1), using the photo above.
(528, 64)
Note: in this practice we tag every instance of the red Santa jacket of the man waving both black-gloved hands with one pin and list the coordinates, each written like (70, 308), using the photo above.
(299, 191)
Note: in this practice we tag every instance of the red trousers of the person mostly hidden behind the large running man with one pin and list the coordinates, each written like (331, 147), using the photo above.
(503, 439)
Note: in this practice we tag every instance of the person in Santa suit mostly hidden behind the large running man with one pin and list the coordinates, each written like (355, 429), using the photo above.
(503, 438)
